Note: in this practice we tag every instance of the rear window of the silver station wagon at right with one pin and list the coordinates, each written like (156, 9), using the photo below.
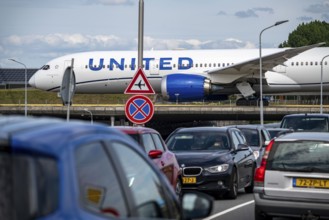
(303, 156)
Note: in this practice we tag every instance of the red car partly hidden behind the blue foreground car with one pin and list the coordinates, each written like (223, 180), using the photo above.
(157, 150)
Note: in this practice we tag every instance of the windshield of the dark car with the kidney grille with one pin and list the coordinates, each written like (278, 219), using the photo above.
(198, 141)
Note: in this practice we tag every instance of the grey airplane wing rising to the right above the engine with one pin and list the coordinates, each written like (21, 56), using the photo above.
(240, 70)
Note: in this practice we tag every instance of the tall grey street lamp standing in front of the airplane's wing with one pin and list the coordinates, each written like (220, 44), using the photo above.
(261, 71)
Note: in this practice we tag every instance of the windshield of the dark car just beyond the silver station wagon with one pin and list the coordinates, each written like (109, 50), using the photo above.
(306, 123)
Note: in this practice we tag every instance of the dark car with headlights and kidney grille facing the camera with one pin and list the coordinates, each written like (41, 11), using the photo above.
(216, 160)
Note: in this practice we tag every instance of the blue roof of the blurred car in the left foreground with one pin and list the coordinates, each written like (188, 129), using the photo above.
(45, 135)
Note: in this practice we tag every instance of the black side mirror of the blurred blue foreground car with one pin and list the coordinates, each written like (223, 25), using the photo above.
(196, 205)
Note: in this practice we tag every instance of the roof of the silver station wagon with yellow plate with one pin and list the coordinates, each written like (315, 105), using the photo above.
(321, 136)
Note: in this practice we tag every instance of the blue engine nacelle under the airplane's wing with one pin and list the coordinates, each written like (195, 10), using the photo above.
(185, 87)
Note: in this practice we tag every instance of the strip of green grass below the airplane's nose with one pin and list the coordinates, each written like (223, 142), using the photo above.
(34, 96)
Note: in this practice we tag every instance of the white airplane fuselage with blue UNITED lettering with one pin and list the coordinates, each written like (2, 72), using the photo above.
(111, 72)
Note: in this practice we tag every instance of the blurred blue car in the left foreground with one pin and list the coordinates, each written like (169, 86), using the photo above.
(53, 169)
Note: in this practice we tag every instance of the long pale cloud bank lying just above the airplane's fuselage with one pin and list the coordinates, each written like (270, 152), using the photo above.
(36, 50)
